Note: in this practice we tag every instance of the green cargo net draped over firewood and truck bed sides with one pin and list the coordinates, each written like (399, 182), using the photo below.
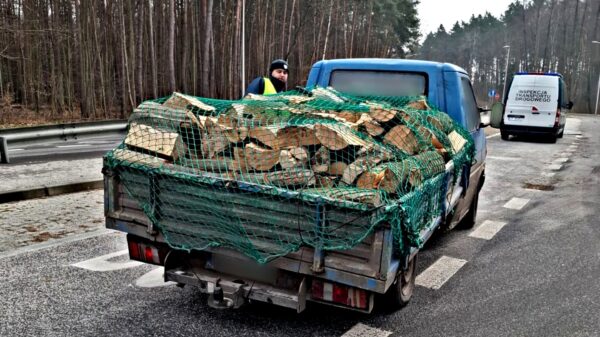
(267, 175)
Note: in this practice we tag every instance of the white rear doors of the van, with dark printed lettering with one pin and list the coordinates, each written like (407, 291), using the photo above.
(532, 101)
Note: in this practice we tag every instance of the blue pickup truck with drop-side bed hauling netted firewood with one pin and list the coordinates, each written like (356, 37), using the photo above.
(353, 278)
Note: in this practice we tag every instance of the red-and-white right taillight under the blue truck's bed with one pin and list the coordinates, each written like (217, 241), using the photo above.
(340, 294)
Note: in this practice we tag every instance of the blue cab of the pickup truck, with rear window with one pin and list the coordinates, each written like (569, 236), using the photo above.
(445, 85)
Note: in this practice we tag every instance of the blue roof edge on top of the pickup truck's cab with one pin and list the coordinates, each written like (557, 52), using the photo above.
(387, 64)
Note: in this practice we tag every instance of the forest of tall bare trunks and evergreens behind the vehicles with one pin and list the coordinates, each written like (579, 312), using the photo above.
(98, 59)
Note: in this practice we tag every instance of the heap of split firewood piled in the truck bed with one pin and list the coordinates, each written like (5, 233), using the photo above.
(321, 143)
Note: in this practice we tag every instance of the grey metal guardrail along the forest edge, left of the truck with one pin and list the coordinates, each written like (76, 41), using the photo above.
(59, 131)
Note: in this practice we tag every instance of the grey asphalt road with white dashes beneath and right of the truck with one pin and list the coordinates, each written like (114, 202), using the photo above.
(535, 272)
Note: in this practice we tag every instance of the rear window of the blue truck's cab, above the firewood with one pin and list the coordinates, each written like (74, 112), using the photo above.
(379, 83)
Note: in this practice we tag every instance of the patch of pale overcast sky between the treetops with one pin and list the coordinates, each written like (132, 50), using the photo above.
(432, 13)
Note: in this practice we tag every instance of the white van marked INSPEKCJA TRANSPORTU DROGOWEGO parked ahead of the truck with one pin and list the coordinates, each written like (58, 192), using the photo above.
(536, 104)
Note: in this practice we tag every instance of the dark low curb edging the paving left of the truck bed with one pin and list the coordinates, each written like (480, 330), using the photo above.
(49, 191)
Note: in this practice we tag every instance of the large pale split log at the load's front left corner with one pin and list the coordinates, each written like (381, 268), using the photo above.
(168, 144)
